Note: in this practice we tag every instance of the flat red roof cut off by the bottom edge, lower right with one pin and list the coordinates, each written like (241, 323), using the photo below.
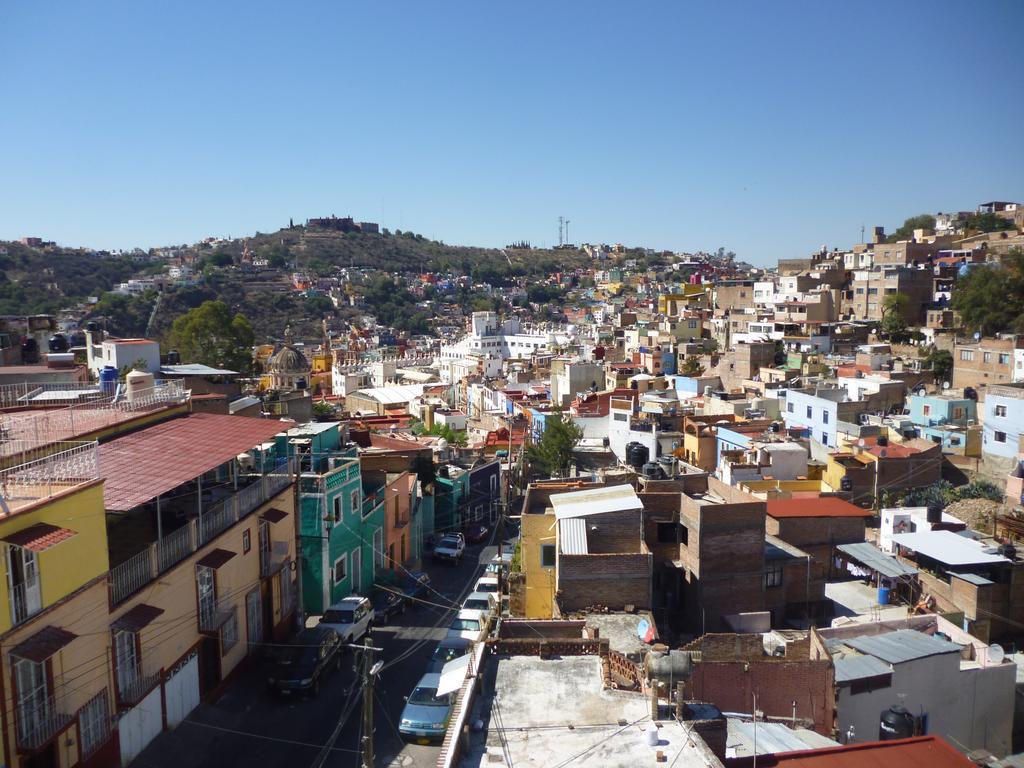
(921, 752)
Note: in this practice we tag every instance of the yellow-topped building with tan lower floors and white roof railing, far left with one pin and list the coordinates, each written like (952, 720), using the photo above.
(54, 618)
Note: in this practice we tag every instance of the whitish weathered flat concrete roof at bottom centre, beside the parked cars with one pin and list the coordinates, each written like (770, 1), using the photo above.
(557, 712)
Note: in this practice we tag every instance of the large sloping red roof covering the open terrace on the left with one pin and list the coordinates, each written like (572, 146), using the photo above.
(156, 460)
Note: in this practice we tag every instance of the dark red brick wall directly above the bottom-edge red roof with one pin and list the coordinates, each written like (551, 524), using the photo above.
(731, 687)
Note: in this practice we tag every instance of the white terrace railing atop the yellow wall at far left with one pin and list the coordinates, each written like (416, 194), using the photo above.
(42, 477)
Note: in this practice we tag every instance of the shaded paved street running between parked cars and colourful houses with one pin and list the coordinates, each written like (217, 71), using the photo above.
(248, 727)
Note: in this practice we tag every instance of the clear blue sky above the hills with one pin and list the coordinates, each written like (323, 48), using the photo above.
(769, 129)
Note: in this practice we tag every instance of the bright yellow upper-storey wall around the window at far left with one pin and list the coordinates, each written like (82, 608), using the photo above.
(73, 563)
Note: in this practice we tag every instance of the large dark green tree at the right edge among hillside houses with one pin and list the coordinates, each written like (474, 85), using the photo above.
(991, 298)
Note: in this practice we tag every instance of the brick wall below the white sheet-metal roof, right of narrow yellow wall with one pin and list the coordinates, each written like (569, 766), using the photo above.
(612, 580)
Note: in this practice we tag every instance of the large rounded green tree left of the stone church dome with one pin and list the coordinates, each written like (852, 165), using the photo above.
(210, 335)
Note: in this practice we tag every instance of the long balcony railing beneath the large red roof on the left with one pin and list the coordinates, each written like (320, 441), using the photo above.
(130, 577)
